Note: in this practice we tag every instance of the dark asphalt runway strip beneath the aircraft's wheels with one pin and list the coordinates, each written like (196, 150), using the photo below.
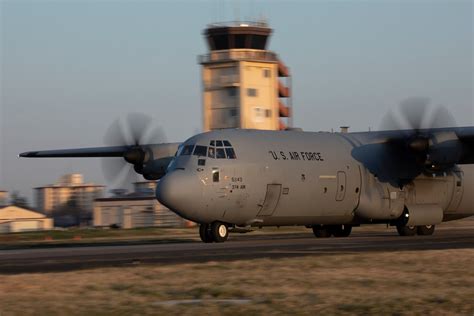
(239, 246)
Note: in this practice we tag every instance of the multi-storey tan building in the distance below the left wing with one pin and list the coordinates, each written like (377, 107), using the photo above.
(70, 190)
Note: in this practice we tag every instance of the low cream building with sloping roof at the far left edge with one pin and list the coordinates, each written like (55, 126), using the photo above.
(18, 219)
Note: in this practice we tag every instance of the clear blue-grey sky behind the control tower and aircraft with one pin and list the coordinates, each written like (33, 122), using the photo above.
(70, 68)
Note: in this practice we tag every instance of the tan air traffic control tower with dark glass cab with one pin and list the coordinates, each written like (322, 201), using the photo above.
(244, 84)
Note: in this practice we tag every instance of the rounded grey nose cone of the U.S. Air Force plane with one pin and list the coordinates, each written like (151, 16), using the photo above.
(180, 192)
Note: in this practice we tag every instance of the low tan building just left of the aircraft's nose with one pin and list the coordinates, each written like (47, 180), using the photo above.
(135, 210)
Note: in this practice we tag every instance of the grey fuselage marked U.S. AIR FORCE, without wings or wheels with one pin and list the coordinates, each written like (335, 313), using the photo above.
(301, 178)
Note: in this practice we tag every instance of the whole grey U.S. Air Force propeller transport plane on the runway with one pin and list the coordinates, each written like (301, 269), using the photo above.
(411, 178)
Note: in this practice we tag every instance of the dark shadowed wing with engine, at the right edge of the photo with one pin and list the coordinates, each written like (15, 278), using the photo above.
(398, 156)
